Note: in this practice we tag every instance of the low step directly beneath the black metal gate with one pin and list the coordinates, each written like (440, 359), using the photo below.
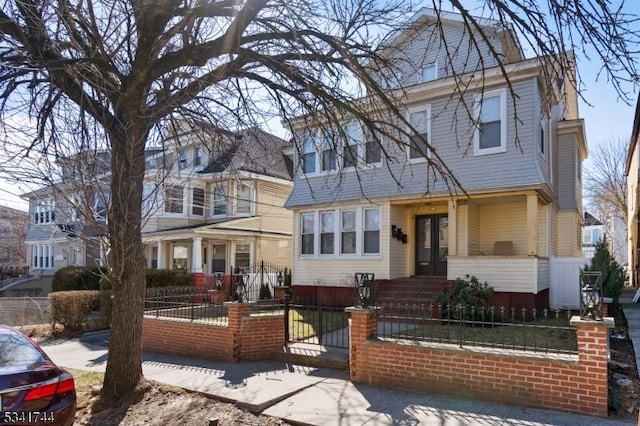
(311, 355)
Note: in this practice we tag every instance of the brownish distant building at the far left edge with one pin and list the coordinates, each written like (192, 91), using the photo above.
(13, 229)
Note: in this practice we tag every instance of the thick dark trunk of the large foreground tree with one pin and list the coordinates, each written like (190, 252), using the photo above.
(124, 366)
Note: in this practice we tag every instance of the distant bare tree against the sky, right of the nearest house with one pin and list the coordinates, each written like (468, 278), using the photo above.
(605, 184)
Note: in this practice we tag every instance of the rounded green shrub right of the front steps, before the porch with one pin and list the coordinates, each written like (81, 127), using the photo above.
(467, 292)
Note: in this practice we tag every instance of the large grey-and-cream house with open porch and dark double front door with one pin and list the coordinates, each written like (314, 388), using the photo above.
(395, 218)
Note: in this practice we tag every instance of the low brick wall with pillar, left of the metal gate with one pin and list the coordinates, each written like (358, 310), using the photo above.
(246, 337)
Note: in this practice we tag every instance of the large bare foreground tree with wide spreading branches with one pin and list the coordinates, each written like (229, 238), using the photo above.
(110, 75)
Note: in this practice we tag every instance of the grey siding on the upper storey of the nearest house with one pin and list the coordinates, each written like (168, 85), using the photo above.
(452, 136)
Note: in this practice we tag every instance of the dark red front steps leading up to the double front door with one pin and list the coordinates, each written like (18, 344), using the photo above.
(417, 289)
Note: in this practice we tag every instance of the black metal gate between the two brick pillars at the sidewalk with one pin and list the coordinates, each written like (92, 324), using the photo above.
(310, 321)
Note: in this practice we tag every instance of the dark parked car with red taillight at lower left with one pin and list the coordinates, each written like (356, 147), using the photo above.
(33, 390)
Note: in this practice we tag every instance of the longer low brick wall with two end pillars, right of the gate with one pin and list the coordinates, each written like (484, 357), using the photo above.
(563, 382)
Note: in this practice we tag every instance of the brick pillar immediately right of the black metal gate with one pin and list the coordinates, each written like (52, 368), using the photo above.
(363, 324)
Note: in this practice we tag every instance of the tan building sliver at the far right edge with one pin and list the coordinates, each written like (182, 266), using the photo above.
(632, 171)
